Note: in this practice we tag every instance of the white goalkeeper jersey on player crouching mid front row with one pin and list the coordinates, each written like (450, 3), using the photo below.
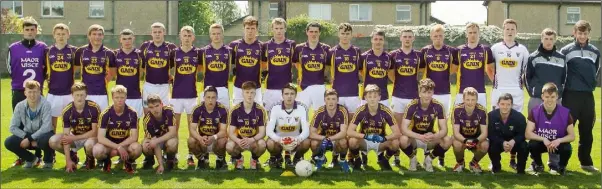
(288, 123)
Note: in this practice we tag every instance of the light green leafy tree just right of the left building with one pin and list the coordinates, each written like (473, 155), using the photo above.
(197, 14)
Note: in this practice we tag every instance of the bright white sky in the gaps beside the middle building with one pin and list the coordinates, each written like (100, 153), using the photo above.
(451, 12)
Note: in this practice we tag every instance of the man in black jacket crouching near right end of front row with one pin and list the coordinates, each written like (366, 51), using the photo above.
(506, 128)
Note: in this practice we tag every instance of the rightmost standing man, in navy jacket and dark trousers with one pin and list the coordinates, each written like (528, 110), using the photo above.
(583, 63)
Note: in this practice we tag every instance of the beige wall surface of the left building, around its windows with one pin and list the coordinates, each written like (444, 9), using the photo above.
(141, 14)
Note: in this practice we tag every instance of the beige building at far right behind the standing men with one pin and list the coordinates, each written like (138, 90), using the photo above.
(535, 15)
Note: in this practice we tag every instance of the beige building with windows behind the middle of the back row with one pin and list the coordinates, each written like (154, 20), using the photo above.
(362, 14)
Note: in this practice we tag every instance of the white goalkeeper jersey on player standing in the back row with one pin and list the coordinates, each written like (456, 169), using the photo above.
(510, 65)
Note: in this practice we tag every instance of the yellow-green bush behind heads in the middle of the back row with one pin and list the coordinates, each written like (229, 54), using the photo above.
(296, 27)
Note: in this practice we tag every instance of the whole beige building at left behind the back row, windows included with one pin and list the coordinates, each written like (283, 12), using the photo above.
(114, 16)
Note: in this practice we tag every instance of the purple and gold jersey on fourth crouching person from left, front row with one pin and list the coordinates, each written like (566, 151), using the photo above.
(157, 128)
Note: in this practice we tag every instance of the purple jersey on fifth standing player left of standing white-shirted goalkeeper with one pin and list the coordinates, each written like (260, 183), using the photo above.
(344, 66)
